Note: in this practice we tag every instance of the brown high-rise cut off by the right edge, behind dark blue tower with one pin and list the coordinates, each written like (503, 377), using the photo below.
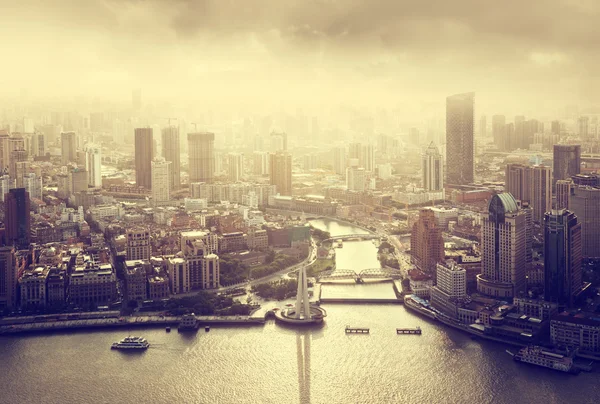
(585, 204)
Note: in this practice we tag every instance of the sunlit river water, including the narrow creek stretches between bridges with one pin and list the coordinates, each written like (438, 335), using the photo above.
(272, 364)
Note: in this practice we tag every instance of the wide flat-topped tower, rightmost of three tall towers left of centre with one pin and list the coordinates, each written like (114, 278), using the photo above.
(201, 156)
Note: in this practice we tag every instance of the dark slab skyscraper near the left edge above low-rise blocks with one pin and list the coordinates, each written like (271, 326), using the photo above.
(17, 218)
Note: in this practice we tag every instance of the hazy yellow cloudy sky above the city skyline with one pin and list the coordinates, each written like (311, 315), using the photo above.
(524, 54)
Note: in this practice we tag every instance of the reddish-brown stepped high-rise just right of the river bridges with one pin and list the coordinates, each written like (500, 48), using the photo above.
(426, 242)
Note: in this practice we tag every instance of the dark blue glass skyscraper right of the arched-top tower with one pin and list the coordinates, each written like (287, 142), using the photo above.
(562, 257)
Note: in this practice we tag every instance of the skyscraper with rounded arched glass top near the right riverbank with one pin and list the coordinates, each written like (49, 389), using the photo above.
(504, 233)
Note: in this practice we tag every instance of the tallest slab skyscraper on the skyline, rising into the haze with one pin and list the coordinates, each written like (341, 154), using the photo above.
(459, 138)
